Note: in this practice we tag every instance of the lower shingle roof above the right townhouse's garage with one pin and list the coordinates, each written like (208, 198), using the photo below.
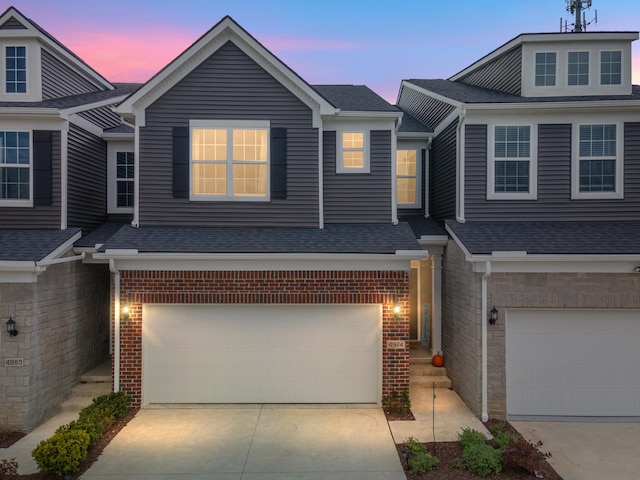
(550, 238)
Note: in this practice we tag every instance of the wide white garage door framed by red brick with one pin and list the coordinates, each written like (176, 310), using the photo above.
(262, 353)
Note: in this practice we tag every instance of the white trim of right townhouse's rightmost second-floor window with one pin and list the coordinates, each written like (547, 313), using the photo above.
(576, 194)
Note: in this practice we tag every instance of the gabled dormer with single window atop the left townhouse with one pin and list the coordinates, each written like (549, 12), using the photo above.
(36, 67)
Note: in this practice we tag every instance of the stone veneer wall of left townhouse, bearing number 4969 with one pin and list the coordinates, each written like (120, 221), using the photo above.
(63, 325)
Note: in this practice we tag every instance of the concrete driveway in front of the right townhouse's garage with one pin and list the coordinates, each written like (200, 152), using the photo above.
(588, 451)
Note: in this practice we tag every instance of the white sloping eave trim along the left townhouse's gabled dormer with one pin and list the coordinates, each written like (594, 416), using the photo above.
(33, 31)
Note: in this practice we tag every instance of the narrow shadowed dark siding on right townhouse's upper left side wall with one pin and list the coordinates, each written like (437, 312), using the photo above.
(442, 174)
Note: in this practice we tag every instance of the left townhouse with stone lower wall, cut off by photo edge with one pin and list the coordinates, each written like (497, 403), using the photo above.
(54, 110)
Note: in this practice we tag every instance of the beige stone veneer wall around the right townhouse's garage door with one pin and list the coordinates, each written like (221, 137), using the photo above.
(462, 317)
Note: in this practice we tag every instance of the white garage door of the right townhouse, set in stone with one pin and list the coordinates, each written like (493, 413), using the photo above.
(575, 363)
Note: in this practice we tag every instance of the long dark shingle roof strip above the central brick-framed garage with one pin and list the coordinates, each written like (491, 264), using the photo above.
(335, 238)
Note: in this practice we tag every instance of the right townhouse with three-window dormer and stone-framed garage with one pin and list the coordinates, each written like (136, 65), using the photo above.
(535, 167)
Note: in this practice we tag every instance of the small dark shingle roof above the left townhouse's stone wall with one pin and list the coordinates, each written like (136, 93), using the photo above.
(31, 245)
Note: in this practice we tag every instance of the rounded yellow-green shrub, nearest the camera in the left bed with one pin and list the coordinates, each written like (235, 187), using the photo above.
(62, 453)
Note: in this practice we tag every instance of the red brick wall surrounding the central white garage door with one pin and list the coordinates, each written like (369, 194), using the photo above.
(257, 287)
